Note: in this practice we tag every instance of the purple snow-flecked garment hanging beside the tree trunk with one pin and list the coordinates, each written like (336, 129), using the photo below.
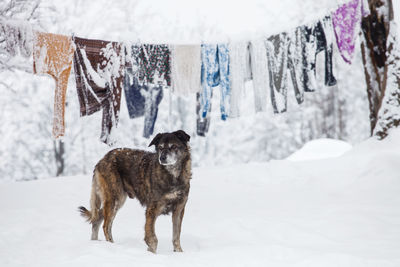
(347, 23)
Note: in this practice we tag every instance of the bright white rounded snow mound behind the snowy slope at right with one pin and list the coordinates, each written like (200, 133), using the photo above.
(320, 149)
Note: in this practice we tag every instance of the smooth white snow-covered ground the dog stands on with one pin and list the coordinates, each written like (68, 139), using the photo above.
(342, 211)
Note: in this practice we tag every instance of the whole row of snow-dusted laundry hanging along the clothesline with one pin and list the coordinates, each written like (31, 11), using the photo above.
(103, 69)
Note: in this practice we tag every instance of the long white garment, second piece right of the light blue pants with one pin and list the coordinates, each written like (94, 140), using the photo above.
(259, 69)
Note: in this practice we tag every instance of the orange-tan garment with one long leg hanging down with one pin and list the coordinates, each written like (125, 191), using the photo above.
(52, 55)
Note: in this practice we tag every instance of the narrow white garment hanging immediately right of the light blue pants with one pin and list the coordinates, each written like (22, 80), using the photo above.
(239, 72)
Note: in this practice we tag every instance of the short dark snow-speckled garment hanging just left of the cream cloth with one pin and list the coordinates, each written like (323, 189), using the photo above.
(154, 63)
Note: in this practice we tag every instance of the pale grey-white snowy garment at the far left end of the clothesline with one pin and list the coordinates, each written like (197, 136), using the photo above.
(16, 36)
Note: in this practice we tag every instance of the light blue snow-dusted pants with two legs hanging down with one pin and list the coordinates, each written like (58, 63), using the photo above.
(214, 72)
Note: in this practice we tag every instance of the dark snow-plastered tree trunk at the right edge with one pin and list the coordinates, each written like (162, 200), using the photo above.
(380, 57)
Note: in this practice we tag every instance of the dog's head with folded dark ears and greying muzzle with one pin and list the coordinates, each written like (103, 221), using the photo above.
(171, 148)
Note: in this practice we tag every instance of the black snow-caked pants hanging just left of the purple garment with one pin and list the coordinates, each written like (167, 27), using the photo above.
(317, 38)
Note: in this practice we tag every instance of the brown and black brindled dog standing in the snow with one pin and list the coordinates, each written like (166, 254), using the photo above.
(160, 181)
